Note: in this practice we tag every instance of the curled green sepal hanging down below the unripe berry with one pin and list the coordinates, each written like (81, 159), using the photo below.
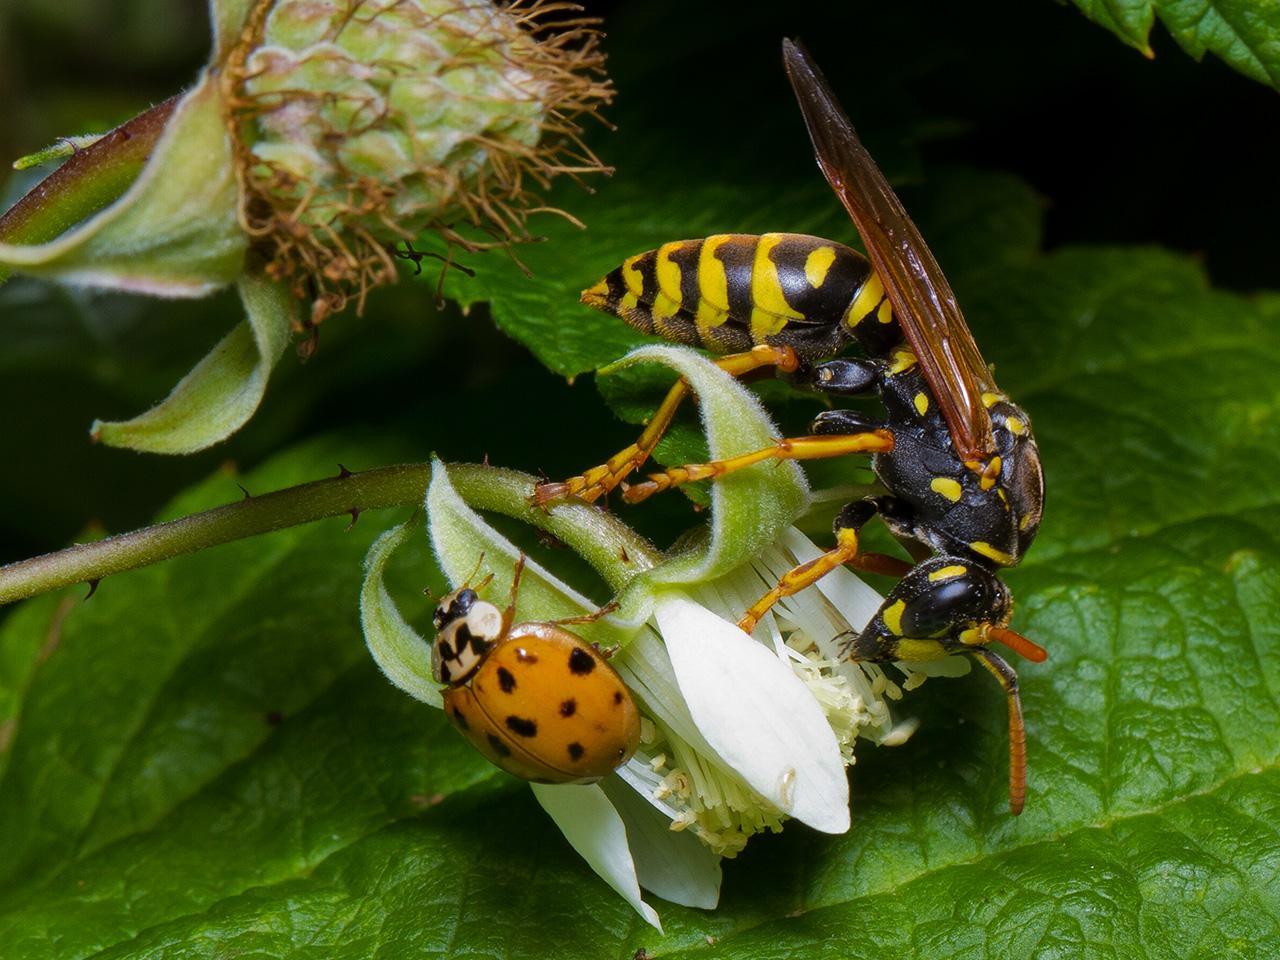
(225, 390)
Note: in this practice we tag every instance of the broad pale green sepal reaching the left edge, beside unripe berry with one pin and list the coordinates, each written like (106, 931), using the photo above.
(175, 234)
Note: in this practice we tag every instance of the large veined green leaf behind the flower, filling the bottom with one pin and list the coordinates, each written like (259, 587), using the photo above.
(203, 760)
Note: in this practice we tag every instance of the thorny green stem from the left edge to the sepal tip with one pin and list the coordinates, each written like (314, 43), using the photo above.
(353, 493)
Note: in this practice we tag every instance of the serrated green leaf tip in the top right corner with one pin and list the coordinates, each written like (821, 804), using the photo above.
(1246, 34)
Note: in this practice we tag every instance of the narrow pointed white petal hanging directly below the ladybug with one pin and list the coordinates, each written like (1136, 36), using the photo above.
(595, 829)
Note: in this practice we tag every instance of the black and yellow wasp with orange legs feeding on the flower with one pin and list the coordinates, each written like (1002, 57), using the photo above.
(962, 472)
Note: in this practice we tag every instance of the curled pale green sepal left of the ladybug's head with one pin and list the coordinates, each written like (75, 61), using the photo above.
(399, 651)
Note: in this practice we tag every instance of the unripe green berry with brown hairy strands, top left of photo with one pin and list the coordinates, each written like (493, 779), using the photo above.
(362, 126)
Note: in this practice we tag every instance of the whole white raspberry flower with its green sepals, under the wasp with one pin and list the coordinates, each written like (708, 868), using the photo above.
(739, 734)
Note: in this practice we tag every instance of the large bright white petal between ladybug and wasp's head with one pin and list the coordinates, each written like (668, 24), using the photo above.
(757, 715)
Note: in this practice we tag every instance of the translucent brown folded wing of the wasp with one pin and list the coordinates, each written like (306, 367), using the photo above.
(921, 296)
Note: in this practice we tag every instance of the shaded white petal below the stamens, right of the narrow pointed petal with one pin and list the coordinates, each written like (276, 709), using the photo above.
(674, 865)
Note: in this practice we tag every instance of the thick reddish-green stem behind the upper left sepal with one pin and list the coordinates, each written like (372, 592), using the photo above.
(89, 181)
